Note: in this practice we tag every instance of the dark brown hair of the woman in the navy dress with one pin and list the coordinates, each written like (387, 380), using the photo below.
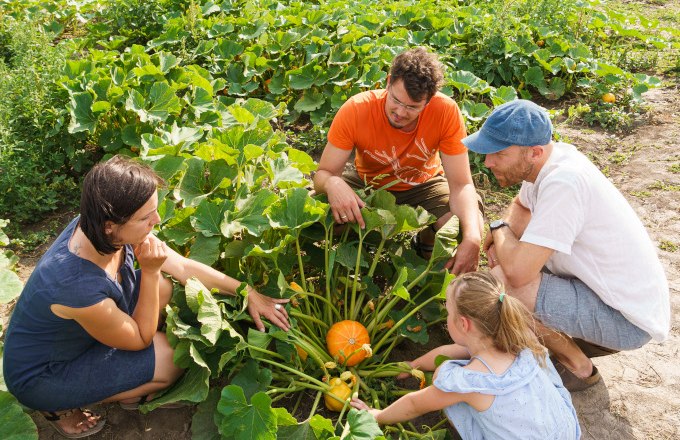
(113, 191)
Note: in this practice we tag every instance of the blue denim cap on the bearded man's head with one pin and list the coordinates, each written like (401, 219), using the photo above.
(519, 122)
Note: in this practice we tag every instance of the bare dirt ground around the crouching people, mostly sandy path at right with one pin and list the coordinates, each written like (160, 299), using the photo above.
(639, 397)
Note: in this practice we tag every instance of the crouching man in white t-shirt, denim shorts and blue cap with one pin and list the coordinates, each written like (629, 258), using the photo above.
(570, 247)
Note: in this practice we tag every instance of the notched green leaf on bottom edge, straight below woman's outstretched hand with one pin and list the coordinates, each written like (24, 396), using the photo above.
(246, 421)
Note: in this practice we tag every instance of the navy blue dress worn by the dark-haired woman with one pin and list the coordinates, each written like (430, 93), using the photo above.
(53, 364)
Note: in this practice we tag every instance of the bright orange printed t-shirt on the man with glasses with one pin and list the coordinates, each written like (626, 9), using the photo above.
(410, 157)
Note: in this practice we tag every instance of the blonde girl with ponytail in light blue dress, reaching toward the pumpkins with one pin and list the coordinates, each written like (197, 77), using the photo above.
(506, 388)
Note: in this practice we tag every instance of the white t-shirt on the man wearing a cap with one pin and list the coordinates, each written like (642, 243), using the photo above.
(597, 238)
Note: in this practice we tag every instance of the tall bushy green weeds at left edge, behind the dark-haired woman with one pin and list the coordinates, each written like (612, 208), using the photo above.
(36, 155)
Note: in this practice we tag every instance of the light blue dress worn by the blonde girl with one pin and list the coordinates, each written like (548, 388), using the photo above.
(530, 403)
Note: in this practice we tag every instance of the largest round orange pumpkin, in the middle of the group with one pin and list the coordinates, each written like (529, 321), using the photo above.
(345, 339)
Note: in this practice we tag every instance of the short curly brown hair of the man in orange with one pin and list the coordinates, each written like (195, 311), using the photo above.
(421, 72)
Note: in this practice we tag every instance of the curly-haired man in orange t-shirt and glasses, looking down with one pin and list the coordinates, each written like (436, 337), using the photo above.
(408, 134)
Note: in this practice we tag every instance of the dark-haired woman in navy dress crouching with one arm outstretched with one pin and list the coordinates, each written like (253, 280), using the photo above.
(84, 329)
